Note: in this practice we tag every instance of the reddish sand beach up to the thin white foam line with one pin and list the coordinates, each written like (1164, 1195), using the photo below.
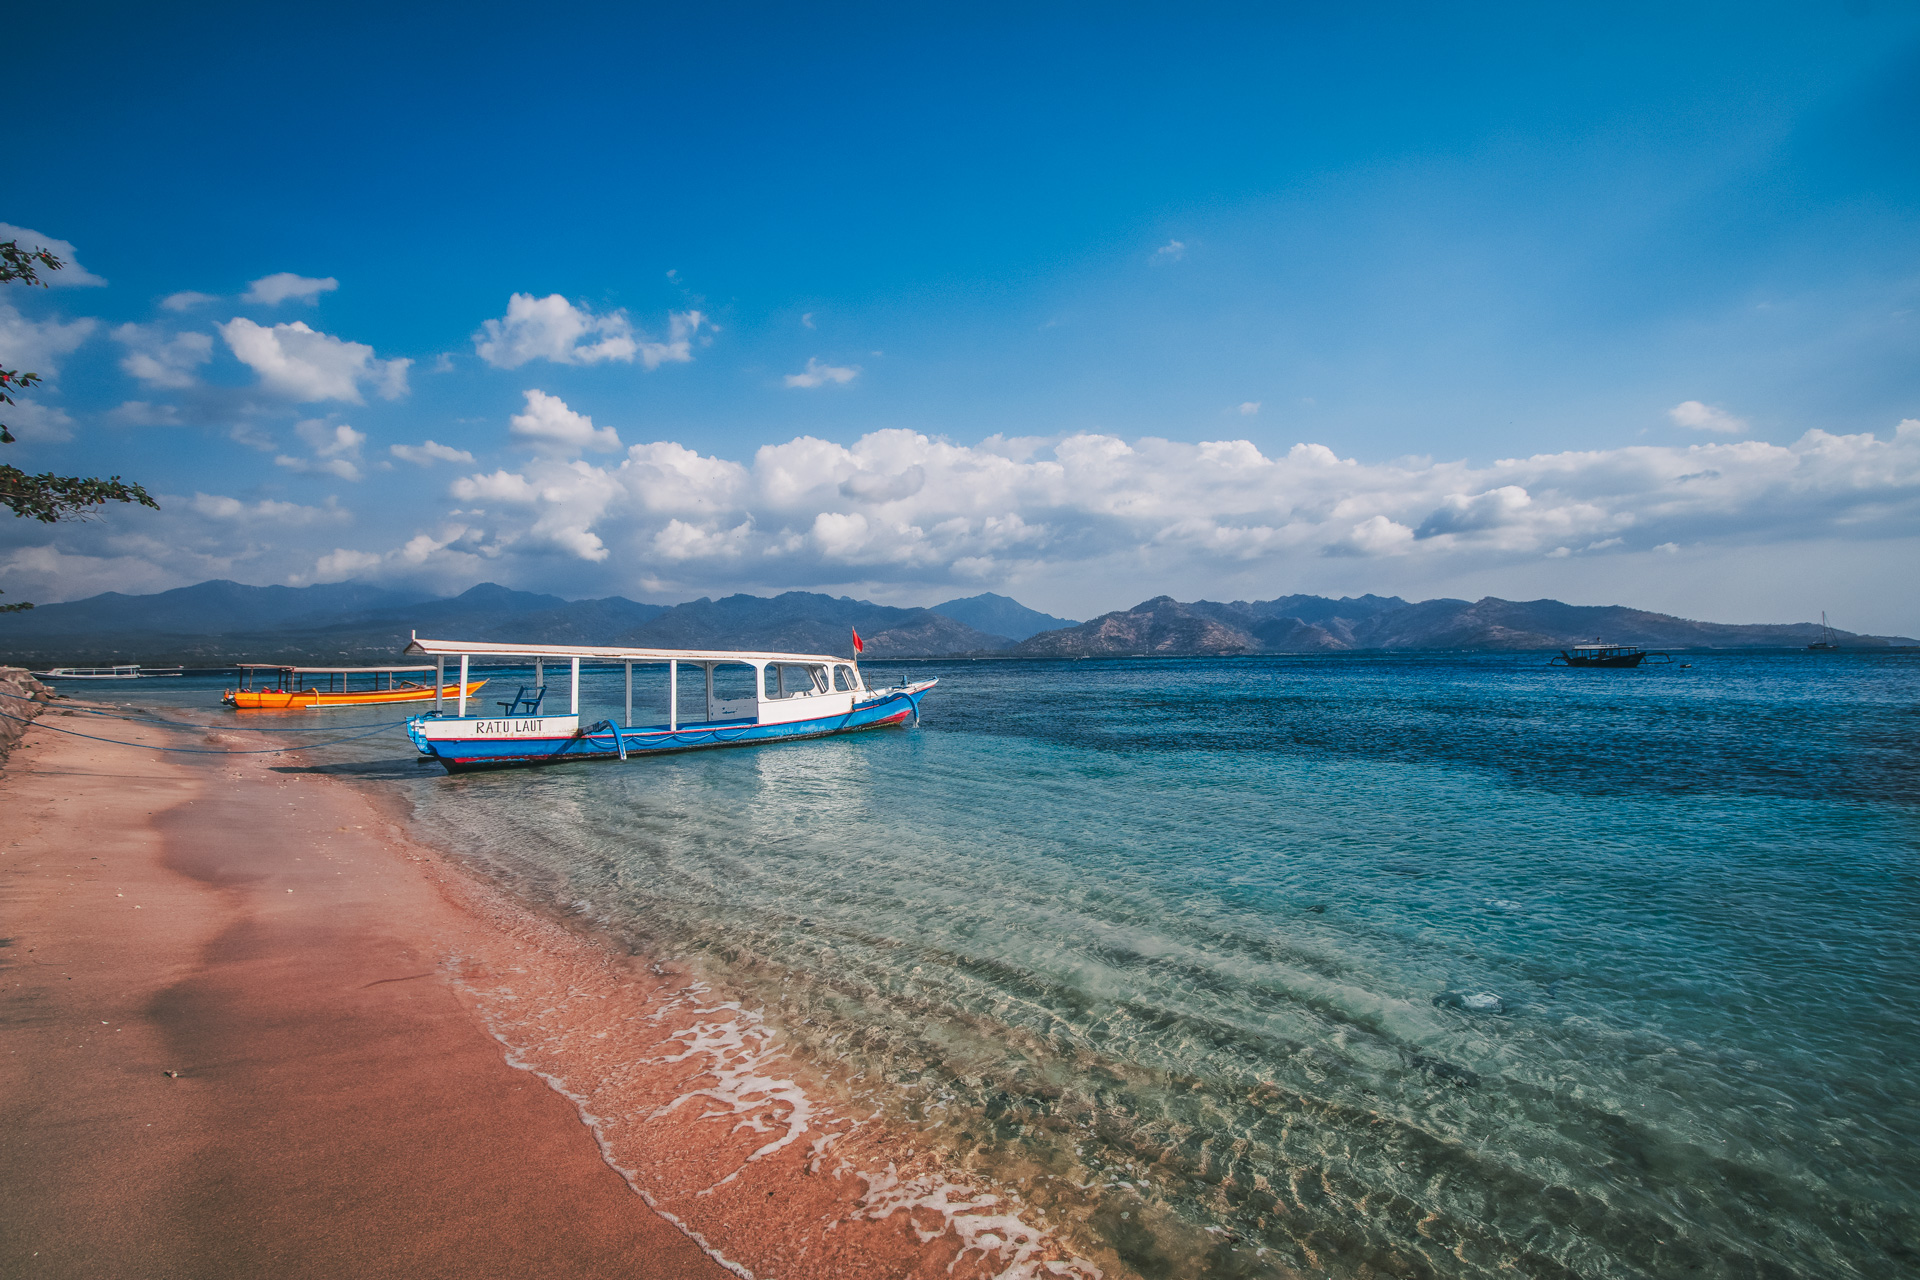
(337, 1110)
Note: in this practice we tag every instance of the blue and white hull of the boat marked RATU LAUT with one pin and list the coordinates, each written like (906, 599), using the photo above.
(894, 707)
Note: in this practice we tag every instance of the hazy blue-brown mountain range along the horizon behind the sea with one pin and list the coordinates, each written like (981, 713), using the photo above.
(220, 623)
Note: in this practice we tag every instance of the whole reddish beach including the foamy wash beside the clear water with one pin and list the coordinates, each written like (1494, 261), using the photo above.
(385, 1062)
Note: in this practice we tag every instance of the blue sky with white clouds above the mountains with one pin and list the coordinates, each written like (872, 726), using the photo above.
(1602, 302)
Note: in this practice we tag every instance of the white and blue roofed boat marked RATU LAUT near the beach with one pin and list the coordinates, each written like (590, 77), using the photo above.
(742, 699)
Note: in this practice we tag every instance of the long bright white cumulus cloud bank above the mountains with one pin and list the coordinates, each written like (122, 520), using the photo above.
(905, 508)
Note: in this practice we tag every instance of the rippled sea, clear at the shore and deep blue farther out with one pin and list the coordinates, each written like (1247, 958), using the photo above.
(1416, 966)
